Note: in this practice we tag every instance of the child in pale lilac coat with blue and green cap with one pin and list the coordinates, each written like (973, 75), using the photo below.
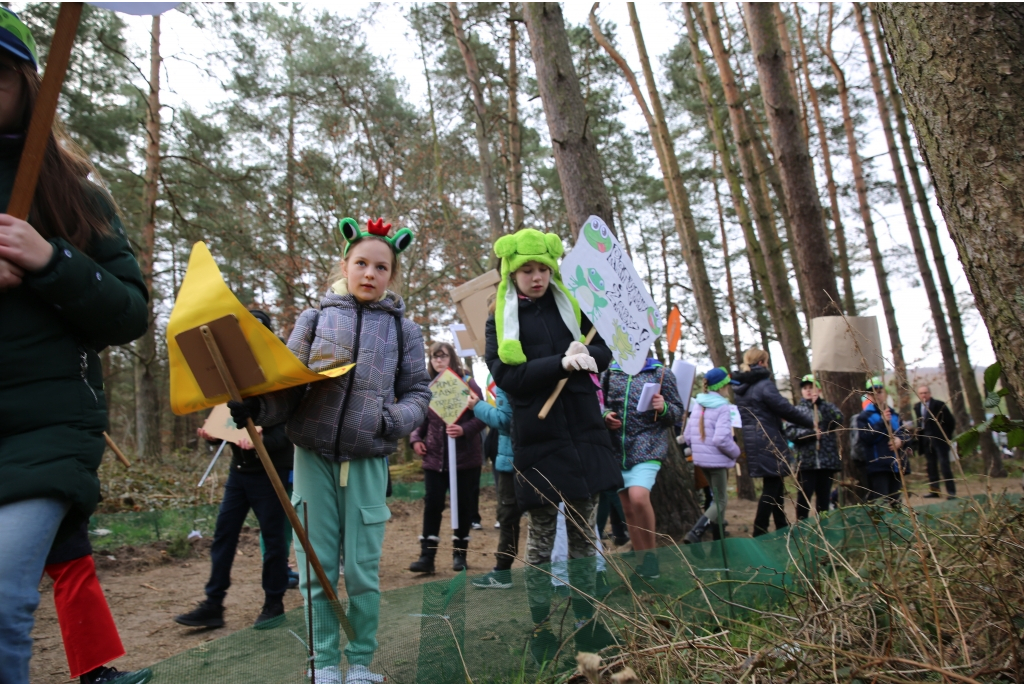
(709, 433)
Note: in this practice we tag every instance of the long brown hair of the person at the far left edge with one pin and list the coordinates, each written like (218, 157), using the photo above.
(67, 203)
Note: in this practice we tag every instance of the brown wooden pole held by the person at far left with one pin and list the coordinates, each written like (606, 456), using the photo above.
(42, 116)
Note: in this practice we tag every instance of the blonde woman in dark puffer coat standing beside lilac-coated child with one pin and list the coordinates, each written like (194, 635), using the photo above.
(762, 410)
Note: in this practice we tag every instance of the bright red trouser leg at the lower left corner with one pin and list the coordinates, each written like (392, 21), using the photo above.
(90, 634)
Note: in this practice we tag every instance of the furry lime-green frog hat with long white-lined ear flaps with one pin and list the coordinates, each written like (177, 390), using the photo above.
(529, 245)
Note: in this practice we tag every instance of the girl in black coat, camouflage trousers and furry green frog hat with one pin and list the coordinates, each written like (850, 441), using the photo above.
(533, 344)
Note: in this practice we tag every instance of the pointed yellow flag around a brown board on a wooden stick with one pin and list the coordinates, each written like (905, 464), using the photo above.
(205, 297)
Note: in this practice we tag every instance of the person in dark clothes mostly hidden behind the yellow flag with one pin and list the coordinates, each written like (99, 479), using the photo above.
(248, 488)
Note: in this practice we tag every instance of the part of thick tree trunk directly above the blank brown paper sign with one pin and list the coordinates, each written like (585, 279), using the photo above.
(794, 159)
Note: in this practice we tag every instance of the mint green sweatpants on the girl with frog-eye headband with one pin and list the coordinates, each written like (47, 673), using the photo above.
(344, 523)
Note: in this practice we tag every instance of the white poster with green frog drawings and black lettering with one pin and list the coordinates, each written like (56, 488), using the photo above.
(603, 279)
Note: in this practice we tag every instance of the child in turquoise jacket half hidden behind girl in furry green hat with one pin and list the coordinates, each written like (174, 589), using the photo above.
(499, 418)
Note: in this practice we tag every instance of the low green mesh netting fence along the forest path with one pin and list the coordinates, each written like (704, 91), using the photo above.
(452, 632)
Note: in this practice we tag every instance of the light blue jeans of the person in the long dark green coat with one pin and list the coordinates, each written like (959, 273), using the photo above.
(27, 532)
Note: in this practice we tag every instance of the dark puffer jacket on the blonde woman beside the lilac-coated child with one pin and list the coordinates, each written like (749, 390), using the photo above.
(763, 410)
